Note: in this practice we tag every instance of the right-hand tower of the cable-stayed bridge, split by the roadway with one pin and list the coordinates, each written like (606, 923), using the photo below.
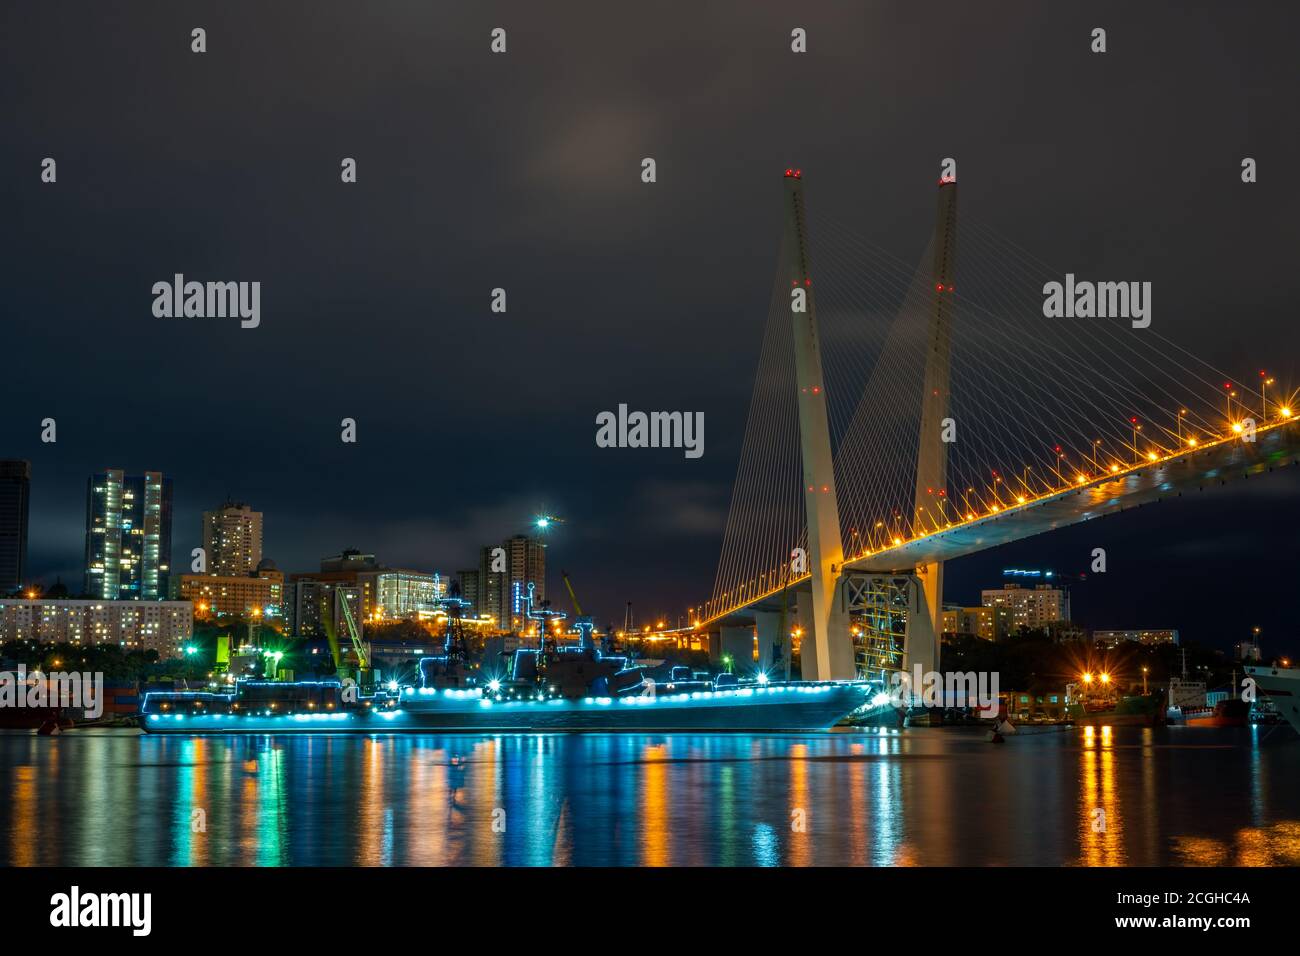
(931, 505)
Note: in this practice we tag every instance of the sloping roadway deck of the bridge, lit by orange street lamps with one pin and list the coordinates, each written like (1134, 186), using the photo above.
(1215, 464)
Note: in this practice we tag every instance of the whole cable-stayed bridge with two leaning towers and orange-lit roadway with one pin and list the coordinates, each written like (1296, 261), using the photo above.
(908, 416)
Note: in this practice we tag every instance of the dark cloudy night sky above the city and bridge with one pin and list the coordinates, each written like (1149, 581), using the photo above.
(523, 171)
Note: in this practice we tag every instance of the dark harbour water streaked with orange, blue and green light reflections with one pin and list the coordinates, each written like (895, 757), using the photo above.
(1129, 797)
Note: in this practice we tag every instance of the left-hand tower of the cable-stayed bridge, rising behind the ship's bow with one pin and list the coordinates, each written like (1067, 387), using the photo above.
(827, 646)
